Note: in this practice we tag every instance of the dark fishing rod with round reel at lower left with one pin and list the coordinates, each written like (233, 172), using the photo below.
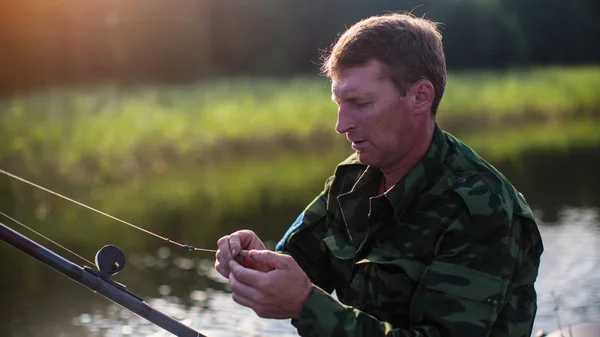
(109, 261)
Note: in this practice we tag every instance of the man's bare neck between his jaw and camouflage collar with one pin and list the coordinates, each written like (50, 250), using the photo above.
(395, 173)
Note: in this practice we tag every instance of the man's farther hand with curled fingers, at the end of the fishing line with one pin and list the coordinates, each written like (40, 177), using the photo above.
(231, 245)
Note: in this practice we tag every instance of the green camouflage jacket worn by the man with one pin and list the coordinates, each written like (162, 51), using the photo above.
(451, 250)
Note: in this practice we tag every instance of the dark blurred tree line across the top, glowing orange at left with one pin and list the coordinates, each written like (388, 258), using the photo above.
(70, 42)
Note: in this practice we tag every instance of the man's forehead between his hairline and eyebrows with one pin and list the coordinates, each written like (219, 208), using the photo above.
(363, 79)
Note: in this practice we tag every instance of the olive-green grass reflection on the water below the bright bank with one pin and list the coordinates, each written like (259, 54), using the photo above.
(205, 201)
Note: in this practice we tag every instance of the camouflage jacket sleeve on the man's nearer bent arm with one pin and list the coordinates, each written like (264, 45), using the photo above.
(461, 293)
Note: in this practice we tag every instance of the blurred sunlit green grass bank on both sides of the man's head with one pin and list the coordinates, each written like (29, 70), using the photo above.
(124, 132)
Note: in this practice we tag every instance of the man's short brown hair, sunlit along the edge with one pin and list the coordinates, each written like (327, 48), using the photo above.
(410, 49)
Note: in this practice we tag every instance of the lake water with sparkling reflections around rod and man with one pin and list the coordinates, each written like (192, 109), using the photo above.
(562, 186)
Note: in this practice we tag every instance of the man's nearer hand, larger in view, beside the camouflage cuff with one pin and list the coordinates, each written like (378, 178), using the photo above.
(277, 293)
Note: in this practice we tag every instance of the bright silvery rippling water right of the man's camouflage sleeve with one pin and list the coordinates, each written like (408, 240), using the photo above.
(569, 277)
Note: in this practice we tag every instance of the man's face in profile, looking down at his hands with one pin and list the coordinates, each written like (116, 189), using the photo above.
(377, 120)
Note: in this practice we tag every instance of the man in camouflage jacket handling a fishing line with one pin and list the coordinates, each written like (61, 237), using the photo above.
(416, 233)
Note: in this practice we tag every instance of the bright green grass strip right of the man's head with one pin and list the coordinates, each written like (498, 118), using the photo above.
(547, 91)
